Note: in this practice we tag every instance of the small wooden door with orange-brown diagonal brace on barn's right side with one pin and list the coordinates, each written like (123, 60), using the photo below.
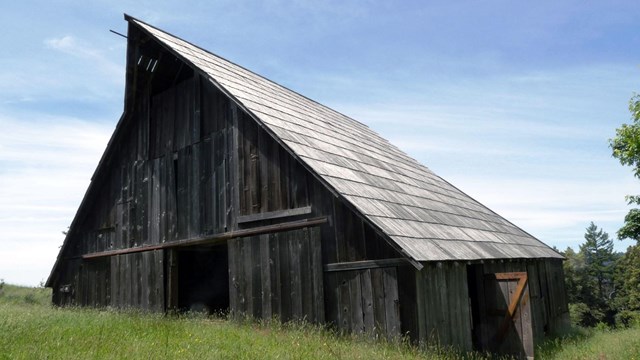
(507, 323)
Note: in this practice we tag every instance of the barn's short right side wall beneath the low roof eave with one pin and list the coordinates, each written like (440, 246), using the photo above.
(454, 307)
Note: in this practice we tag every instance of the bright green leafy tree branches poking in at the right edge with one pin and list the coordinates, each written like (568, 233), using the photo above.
(626, 148)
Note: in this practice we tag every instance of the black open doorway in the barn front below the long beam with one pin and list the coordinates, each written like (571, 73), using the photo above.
(203, 279)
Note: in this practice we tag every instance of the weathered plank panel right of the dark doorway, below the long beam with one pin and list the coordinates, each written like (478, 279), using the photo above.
(277, 275)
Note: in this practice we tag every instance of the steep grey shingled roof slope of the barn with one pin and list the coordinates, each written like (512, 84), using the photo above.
(428, 218)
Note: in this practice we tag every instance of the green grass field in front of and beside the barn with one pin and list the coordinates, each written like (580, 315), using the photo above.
(31, 329)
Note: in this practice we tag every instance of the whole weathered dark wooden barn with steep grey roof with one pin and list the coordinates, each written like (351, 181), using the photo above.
(223, 191)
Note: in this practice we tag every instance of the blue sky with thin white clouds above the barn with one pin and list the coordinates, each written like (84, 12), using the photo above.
(512, 102)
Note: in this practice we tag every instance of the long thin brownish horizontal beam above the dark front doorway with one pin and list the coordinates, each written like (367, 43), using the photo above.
(214, 239)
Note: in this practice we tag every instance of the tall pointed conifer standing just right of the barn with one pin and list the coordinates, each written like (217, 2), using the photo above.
(599, 261)
